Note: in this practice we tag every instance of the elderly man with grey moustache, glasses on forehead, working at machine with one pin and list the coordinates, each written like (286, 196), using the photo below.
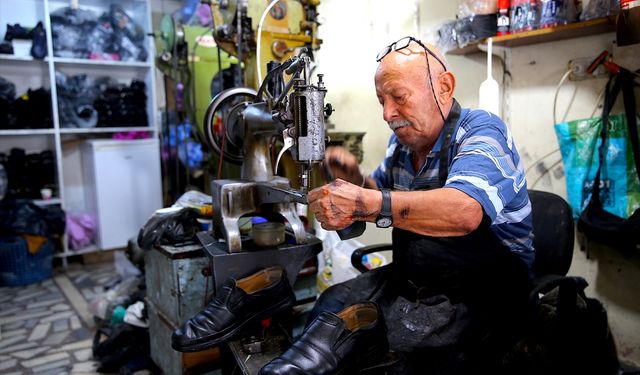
(453, 188)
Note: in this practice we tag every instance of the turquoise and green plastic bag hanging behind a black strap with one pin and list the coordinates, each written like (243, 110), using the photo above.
(579, 141)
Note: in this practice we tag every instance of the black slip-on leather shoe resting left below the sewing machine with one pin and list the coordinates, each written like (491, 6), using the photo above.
(240, 302)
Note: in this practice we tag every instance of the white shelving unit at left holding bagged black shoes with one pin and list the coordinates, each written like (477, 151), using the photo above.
(29, 73)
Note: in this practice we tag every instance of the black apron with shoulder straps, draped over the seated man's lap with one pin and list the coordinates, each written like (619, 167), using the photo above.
(442, 297)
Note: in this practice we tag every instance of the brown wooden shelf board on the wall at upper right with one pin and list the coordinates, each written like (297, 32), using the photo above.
(549, 34)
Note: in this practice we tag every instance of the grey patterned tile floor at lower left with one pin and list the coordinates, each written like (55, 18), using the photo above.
(46, 328)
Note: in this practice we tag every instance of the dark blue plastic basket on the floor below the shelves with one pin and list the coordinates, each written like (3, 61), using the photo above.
(19, 267)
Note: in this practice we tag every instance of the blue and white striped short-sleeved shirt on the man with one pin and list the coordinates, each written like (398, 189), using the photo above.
(484, 164)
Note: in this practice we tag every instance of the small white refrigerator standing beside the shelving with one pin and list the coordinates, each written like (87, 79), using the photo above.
(123, 187)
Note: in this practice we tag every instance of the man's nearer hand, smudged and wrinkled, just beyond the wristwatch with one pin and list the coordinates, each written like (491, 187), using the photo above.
(340, 203)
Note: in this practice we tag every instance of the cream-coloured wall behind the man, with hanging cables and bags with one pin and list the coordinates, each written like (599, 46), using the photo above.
(354, 31)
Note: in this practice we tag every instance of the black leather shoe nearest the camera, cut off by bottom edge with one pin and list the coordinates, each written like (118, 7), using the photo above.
(349, 342)
